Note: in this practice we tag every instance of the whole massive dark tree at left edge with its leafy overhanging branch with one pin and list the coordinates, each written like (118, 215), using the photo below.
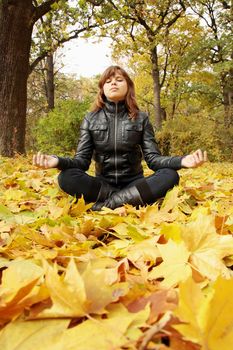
(17, 20)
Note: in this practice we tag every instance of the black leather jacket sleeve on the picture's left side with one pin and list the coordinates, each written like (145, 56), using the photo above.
(82, 158)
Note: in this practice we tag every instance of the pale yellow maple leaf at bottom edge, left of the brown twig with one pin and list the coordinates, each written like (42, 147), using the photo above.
(111, 333)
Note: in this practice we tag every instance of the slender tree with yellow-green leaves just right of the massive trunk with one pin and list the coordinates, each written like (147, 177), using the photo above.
(55, 29)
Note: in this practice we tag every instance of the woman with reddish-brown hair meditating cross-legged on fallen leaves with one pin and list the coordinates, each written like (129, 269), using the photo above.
(117, 135)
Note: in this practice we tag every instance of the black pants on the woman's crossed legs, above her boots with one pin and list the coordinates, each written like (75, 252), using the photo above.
(77, 183)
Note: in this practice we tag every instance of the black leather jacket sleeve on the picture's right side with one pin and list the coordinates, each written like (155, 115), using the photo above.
(152, 154)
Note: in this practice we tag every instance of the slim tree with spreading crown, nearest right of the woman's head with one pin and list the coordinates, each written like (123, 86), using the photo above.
(143, 25)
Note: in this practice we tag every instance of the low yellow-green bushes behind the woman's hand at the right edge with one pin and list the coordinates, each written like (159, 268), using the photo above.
(185, 134)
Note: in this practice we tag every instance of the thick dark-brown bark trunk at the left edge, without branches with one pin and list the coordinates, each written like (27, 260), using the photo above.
(15, 39)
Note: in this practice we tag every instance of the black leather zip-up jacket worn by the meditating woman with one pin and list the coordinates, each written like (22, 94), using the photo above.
(117, 144)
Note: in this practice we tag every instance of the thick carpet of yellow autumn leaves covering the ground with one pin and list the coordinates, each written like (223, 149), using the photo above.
(109, 280)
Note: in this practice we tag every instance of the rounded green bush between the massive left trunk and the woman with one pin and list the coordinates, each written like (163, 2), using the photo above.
(58, 131)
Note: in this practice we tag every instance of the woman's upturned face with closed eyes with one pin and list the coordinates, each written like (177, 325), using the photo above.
(115, 88)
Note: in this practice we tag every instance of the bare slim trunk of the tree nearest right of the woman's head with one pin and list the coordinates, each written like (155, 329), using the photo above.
(156, 88)
